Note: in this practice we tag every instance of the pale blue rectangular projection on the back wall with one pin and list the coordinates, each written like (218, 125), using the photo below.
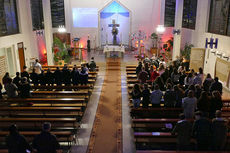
(85, 17)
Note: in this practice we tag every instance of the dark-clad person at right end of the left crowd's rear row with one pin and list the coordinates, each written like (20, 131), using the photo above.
(25, 88)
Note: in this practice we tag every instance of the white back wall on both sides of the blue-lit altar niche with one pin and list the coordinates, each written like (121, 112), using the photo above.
(145, 16)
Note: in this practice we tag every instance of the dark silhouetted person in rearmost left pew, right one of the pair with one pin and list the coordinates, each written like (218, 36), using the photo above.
(46, 142)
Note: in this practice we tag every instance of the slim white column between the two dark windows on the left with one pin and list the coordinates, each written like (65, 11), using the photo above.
(48, 30)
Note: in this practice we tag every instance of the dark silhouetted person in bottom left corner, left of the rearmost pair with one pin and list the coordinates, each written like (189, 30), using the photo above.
(15, 142)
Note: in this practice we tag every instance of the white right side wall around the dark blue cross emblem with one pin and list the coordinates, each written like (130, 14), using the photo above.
(198, 36)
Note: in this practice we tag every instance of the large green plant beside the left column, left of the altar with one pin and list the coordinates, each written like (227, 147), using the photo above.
(61, 54)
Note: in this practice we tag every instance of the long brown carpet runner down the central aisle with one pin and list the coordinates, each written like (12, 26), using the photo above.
(107, 129)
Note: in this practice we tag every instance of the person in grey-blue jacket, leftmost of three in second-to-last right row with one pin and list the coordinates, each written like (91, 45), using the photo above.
(189, 104)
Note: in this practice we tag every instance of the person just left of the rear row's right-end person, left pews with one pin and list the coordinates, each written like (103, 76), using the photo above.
(11, 89)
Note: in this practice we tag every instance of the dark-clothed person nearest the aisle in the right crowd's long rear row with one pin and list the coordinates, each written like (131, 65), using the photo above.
(136, 95)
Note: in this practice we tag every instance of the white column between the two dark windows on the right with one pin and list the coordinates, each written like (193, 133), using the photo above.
(177, 25)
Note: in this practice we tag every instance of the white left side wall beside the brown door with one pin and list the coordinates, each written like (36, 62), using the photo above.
(26, 36)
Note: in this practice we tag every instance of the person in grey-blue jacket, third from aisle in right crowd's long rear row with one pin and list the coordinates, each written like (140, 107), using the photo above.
(156, 96)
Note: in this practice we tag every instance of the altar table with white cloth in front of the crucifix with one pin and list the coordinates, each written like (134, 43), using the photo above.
(111, 50)
